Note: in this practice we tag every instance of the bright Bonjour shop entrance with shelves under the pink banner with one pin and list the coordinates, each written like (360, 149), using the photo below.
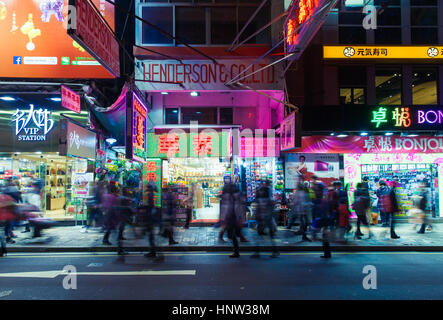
(408, 179)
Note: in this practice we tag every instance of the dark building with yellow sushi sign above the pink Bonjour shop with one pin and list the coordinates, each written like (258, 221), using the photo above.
(370, 84)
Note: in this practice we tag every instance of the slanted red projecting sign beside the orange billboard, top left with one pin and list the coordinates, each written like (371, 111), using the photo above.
(88, 29)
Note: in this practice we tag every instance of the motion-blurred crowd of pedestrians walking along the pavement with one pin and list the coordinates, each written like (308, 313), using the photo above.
(321, 212)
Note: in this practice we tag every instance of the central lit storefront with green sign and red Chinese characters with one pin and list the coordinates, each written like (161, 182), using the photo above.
(199, 160)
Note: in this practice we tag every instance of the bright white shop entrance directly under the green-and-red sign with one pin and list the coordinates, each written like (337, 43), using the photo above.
(206, 176)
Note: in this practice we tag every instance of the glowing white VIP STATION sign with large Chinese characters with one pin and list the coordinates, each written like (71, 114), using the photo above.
(37, 130)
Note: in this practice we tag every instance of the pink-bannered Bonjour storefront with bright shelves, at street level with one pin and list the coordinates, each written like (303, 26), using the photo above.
(406, 163)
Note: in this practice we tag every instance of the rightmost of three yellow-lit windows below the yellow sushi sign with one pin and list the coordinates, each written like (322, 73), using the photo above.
(424, 86)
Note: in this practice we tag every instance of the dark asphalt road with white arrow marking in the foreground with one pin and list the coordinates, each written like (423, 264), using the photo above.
(199, 275)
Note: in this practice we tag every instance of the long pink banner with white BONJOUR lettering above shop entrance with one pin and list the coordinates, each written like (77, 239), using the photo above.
(371, 144)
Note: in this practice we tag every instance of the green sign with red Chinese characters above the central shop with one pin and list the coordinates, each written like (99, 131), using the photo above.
(207, 143)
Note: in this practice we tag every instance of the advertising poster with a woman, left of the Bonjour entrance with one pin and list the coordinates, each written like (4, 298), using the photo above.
(303, 166)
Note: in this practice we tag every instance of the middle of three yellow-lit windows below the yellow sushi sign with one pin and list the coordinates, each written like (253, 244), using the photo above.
(388, 86)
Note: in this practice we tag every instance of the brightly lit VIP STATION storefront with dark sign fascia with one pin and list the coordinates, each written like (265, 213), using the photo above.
(40, 142)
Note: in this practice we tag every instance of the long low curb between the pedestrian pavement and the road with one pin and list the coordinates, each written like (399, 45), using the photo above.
(338, 248)
